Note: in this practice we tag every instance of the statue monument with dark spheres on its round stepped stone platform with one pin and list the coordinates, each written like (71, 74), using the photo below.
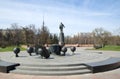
(82, 62)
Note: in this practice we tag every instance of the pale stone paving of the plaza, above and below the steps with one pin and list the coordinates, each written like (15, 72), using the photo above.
(81, 56)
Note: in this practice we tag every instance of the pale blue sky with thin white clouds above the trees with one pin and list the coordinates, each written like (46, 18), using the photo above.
(76, 15)
